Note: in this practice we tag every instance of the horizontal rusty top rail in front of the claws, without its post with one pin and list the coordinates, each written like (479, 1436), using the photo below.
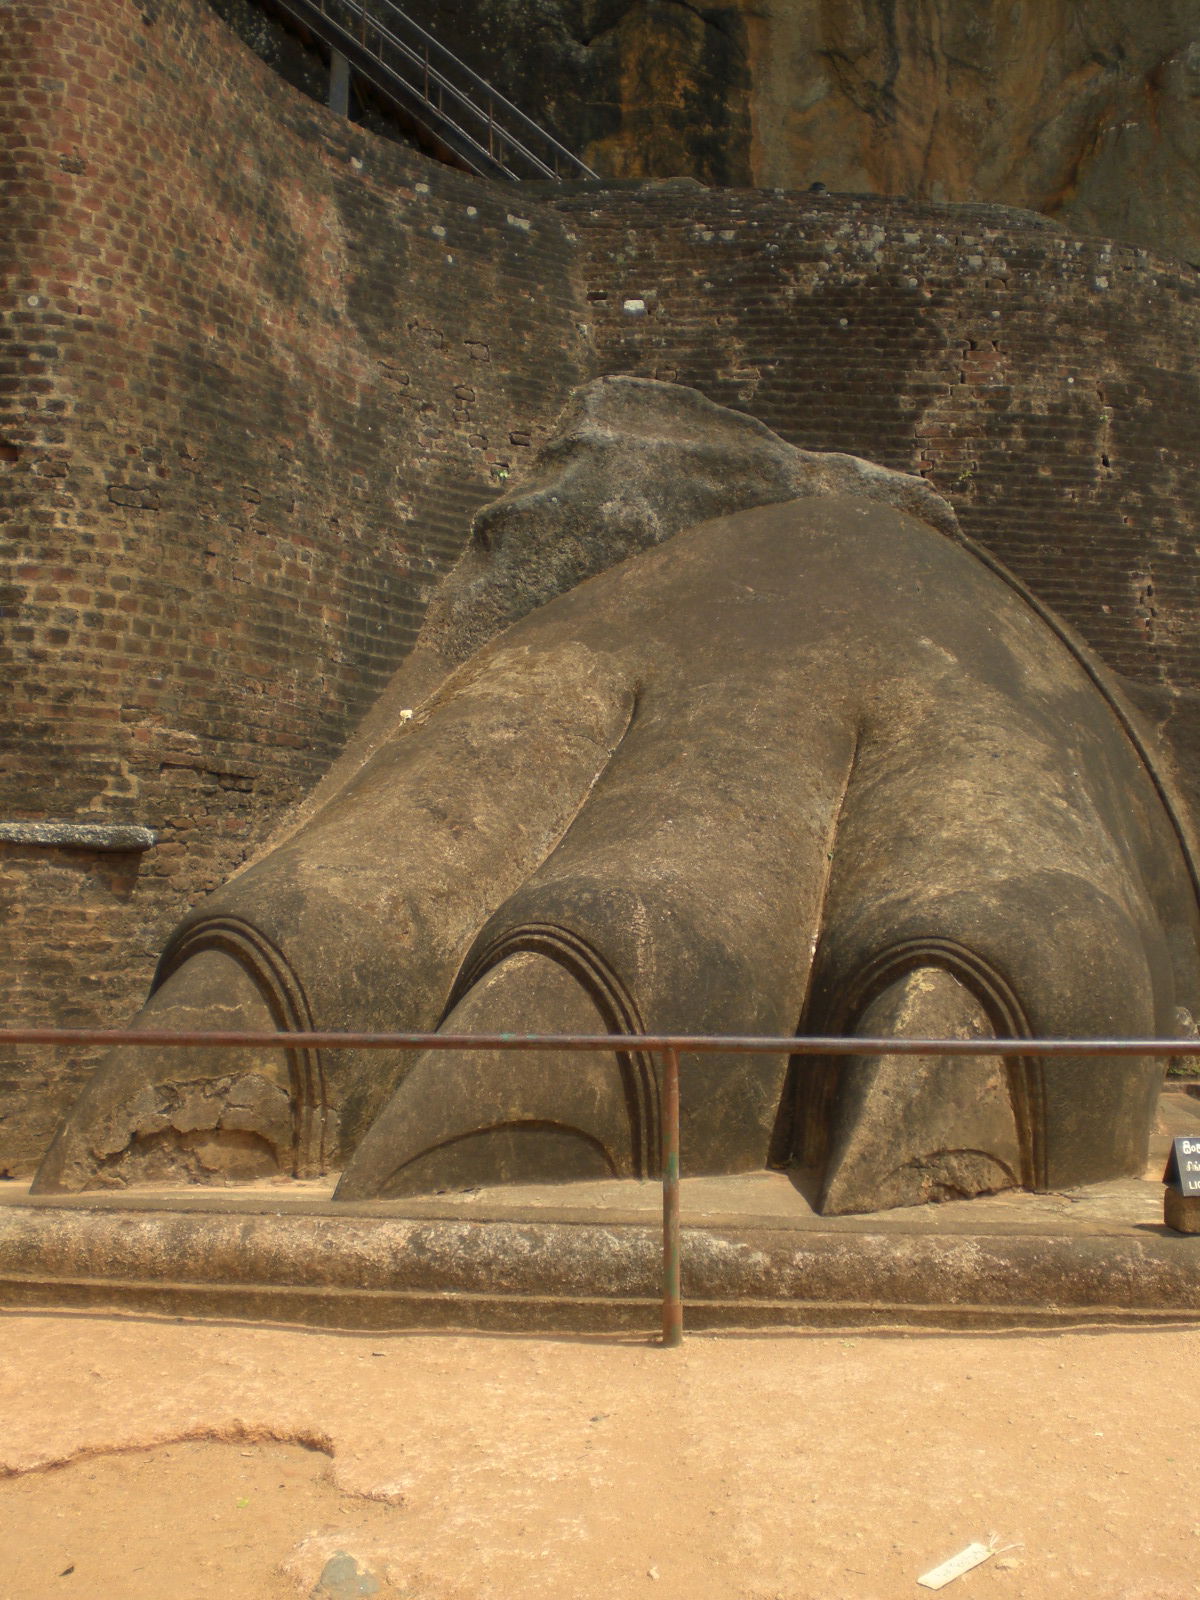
(687, 1044)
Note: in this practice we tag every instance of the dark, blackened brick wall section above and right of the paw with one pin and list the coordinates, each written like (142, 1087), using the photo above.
(1049, 386)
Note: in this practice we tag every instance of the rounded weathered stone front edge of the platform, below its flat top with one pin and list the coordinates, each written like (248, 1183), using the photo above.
(551, 1276)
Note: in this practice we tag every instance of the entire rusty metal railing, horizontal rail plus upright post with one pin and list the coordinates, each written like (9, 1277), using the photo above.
(666, 1046)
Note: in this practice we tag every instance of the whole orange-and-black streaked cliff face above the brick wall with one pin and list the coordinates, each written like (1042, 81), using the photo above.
(1087, 113)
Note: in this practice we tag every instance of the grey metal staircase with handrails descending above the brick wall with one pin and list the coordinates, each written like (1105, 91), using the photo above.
(452, 110)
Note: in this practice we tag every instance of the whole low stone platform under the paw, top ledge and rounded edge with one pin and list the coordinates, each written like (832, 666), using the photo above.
(588, 1258)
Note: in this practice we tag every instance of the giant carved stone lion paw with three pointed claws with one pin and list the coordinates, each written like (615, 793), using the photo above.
(710, 735)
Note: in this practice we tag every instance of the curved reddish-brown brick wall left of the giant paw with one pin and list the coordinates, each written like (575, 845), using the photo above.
(258, 372)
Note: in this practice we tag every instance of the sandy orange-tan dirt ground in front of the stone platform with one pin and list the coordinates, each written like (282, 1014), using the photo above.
(174, 1462)
